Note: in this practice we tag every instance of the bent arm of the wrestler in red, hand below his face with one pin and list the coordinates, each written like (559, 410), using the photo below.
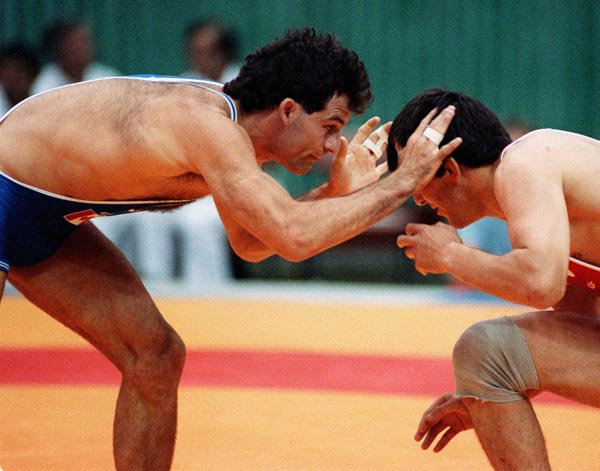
(533, 273)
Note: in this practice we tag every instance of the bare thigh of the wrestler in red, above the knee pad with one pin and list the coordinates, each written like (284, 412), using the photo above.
(565, 346)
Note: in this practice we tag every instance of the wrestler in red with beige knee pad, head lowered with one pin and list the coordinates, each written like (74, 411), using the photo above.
(545, 186)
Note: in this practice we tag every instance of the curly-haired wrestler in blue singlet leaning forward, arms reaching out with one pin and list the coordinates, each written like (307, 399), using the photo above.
(125, 144)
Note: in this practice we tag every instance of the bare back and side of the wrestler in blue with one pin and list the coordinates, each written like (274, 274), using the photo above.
(112, 139)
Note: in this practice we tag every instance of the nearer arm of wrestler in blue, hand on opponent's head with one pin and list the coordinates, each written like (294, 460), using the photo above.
(262, 219)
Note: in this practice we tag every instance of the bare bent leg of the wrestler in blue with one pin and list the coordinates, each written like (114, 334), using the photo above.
(90, 287)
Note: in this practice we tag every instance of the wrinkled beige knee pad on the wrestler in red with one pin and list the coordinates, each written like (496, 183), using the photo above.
(492, 362)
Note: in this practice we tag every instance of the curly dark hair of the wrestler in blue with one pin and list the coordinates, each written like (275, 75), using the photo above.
(305, 66)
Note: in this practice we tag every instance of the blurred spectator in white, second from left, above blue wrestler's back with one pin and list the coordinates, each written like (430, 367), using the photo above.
(72, 52)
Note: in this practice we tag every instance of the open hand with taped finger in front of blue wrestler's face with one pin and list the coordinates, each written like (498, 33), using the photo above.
(355, 164)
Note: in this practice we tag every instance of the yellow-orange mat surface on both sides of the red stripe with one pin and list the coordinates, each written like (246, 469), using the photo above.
(57, 428)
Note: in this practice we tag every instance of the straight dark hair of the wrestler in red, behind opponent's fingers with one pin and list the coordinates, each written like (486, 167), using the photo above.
(484, 137)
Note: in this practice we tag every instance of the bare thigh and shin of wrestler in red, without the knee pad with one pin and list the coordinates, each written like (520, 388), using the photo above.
(565, 348)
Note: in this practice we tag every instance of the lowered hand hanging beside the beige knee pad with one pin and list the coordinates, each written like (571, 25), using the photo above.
(447, 413)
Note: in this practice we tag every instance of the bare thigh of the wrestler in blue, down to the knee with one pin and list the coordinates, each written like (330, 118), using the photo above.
(90, 287)
